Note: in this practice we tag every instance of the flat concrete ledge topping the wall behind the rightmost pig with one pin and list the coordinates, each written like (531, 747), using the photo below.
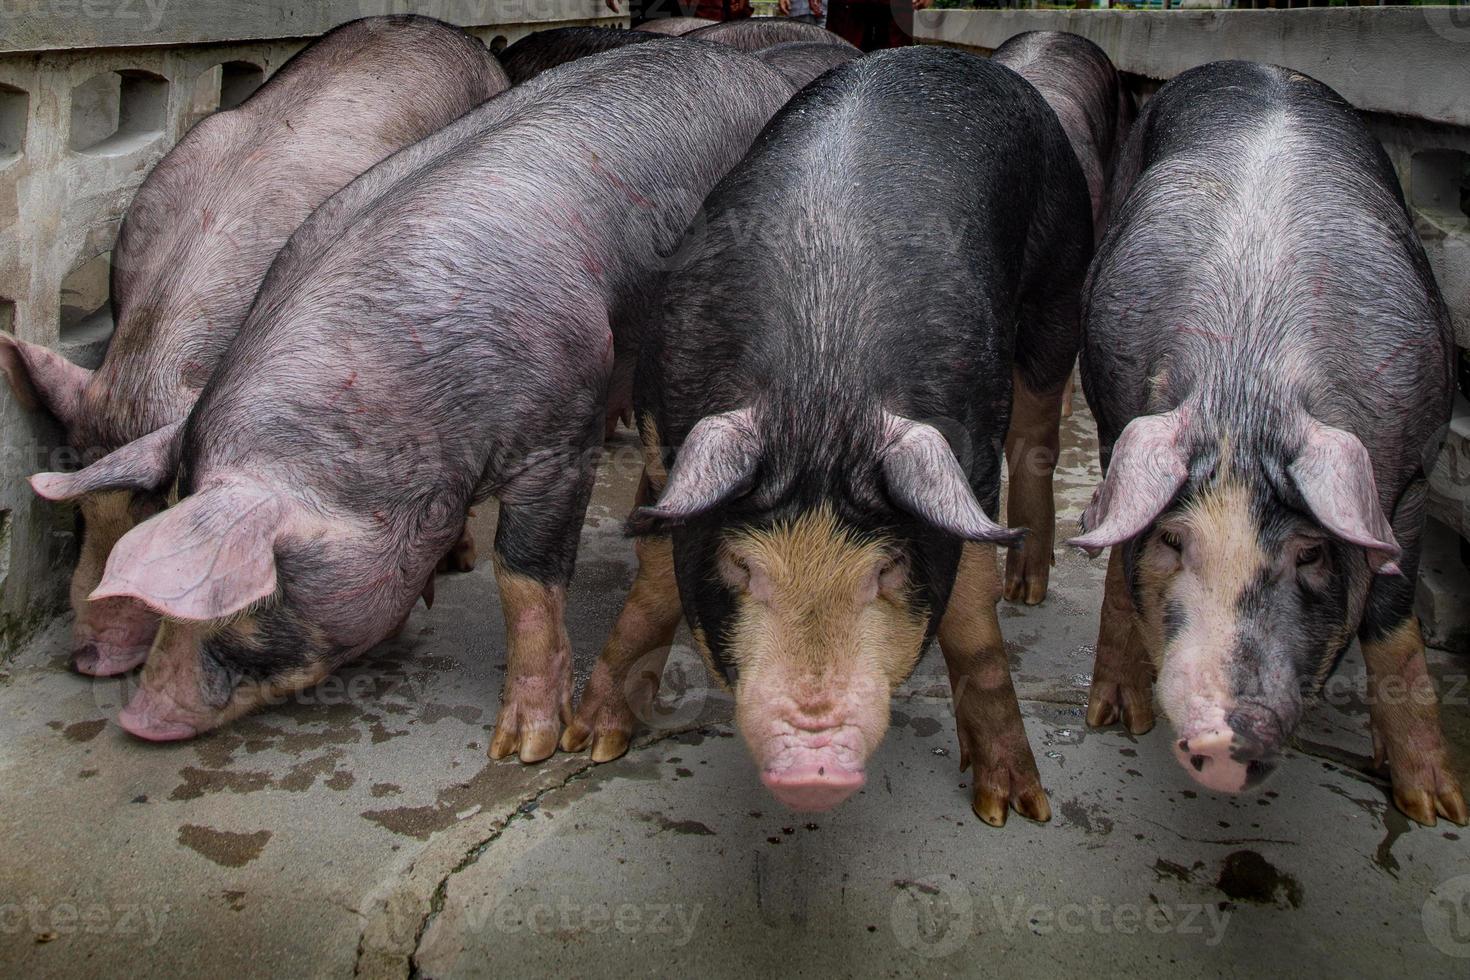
(1408, 61)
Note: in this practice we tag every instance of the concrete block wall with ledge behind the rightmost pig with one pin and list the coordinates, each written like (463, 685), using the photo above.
(1406, 68)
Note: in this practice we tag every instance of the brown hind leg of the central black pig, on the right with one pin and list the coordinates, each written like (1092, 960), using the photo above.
(1031, 453)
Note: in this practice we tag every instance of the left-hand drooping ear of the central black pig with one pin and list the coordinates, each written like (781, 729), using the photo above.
(717, 464)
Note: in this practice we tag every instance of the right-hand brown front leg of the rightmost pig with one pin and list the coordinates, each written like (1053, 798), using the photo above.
(1405, 713)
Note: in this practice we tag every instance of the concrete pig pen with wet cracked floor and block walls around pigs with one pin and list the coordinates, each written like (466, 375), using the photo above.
(361, 829)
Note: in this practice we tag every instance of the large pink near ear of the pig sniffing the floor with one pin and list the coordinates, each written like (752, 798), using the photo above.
(211, 556)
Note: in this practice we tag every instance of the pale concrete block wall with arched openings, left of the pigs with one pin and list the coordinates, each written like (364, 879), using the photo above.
(92, 95)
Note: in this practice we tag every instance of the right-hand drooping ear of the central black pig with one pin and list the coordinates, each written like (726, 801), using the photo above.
(927, 481)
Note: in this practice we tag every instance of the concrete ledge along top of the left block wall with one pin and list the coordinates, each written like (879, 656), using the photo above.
(46, 26)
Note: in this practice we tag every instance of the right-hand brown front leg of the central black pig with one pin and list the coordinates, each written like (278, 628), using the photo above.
(986, 707)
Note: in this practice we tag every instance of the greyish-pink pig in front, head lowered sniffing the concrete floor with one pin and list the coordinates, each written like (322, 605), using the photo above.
(440, 331)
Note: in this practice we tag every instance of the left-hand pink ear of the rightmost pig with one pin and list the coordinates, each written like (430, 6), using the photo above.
(1147, 469)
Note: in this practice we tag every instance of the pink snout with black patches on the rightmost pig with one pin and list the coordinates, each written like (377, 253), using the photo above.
(1237, 752)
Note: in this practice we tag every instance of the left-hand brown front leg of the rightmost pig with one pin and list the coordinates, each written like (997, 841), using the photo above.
(1122, 677)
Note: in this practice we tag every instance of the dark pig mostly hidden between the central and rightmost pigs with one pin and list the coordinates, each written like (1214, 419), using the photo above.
(1083, 87)
